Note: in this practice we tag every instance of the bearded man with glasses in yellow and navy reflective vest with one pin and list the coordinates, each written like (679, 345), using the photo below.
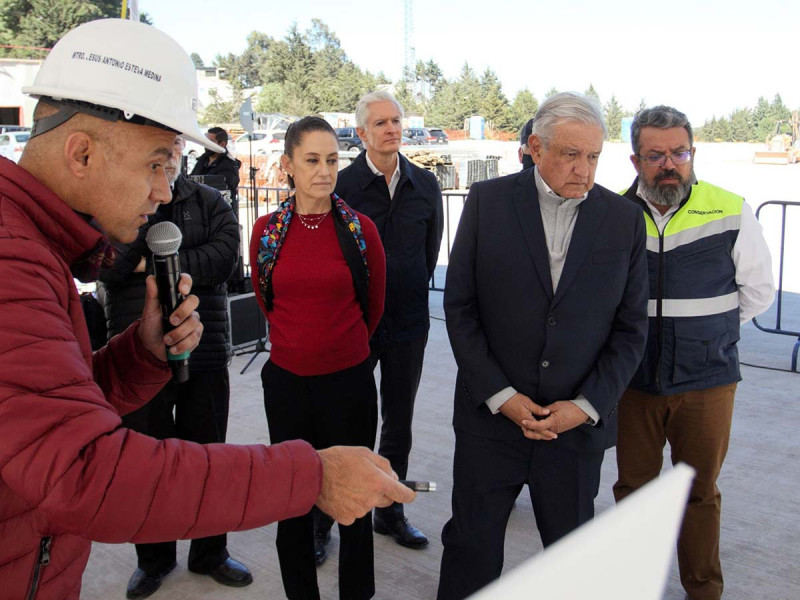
(710, 271)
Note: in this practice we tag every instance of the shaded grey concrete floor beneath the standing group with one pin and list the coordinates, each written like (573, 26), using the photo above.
(759, 484)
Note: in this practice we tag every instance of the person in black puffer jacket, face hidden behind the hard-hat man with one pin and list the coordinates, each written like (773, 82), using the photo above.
(208, 253)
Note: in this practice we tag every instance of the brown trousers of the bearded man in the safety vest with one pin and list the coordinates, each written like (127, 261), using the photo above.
(697, 425)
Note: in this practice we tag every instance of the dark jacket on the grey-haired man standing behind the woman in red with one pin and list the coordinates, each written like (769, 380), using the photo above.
(410, 226)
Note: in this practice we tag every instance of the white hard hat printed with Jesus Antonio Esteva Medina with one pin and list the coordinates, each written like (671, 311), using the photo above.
(139, 72)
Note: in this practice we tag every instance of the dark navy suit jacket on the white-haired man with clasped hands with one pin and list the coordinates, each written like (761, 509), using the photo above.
(508, 328)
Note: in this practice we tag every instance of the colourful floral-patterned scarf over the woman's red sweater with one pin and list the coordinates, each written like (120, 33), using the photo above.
(274, 235)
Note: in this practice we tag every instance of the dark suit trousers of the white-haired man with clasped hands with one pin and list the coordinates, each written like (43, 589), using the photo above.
(488, 475)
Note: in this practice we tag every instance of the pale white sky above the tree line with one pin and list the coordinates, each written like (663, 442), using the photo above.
(705, 57)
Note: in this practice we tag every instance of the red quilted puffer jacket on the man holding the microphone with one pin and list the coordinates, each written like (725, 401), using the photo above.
(68, 472)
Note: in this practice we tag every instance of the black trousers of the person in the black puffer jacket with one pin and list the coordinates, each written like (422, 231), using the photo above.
(200, 408)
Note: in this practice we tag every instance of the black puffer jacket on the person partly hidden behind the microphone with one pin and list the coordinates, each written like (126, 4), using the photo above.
(208, 252)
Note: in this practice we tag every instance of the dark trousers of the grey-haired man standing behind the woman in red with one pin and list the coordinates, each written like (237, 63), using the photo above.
(401, 370)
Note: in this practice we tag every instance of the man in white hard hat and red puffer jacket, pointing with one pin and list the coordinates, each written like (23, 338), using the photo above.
(113, 94)
